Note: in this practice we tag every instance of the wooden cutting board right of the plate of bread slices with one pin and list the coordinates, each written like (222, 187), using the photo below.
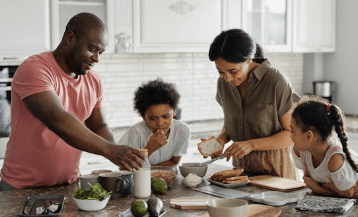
(276, 183)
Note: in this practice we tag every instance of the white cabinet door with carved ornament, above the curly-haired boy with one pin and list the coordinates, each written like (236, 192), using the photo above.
(177, 25)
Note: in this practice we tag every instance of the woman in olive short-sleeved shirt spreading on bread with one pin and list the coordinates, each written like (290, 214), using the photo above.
(256, 100)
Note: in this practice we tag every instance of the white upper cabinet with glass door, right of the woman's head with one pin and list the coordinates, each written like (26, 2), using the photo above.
(291, 25)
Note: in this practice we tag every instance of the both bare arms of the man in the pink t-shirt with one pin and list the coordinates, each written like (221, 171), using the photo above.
(47, 107)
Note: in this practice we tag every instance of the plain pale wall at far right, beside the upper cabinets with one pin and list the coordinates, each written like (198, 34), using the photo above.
(340, 66)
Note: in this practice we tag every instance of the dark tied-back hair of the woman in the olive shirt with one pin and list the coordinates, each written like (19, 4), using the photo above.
(235, 46)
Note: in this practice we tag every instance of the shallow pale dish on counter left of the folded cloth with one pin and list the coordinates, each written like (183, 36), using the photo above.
(274, 198)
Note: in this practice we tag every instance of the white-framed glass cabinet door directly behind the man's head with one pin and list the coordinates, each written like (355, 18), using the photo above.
(64, 10)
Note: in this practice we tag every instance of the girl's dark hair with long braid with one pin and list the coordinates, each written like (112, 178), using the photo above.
(318, 115)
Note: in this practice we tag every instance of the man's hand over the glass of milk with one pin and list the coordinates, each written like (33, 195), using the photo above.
(125, 157)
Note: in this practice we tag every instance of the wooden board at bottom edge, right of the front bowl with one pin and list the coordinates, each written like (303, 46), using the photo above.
(256, 210)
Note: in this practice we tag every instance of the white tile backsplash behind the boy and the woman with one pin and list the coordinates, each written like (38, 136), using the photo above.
(193, 73)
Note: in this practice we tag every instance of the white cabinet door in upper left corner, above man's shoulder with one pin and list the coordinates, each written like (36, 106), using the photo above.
(25, 28)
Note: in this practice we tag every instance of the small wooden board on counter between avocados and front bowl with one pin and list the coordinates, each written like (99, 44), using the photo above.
(193, 203)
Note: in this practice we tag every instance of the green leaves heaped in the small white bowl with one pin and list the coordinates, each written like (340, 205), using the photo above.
(96, 192)
